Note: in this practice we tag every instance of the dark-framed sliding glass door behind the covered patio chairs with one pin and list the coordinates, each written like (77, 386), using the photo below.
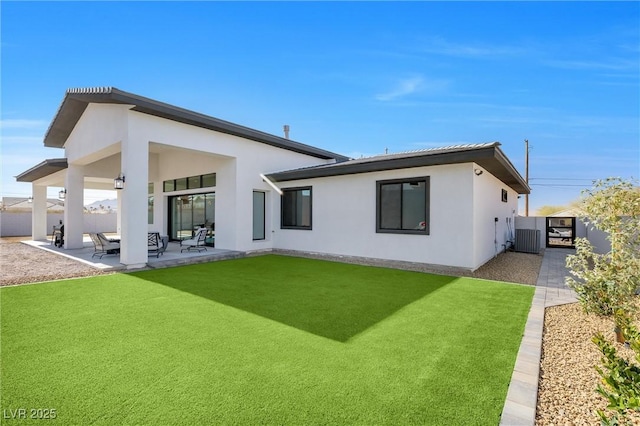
(189, 212)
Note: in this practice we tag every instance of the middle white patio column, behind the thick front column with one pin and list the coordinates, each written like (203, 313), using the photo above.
(74, 207)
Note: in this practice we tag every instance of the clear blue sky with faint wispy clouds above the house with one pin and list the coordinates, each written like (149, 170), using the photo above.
(355, 78)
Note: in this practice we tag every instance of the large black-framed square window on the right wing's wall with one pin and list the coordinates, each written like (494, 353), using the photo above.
(403, 206)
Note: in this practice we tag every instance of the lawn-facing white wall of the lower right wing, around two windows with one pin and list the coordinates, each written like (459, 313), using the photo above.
(344, 216)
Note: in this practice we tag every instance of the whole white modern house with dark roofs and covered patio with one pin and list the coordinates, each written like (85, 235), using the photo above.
(451, 206)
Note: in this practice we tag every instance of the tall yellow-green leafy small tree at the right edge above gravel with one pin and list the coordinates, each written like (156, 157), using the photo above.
(607, 282)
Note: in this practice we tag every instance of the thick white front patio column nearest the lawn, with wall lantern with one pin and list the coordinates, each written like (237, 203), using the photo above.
(133, 205)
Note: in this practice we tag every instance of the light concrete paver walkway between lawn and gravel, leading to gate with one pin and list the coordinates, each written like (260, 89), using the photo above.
(551, 290)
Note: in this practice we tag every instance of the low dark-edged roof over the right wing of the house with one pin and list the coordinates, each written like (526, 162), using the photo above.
(487, 155)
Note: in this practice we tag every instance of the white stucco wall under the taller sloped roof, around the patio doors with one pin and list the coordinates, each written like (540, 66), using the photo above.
(180, 150)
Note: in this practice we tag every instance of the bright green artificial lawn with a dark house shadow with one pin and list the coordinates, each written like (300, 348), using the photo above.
(262, 340)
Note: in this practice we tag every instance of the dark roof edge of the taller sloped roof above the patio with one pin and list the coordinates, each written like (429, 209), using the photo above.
(76, 101)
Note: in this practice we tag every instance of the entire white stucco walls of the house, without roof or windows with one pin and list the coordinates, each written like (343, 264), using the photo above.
(462, 205)
